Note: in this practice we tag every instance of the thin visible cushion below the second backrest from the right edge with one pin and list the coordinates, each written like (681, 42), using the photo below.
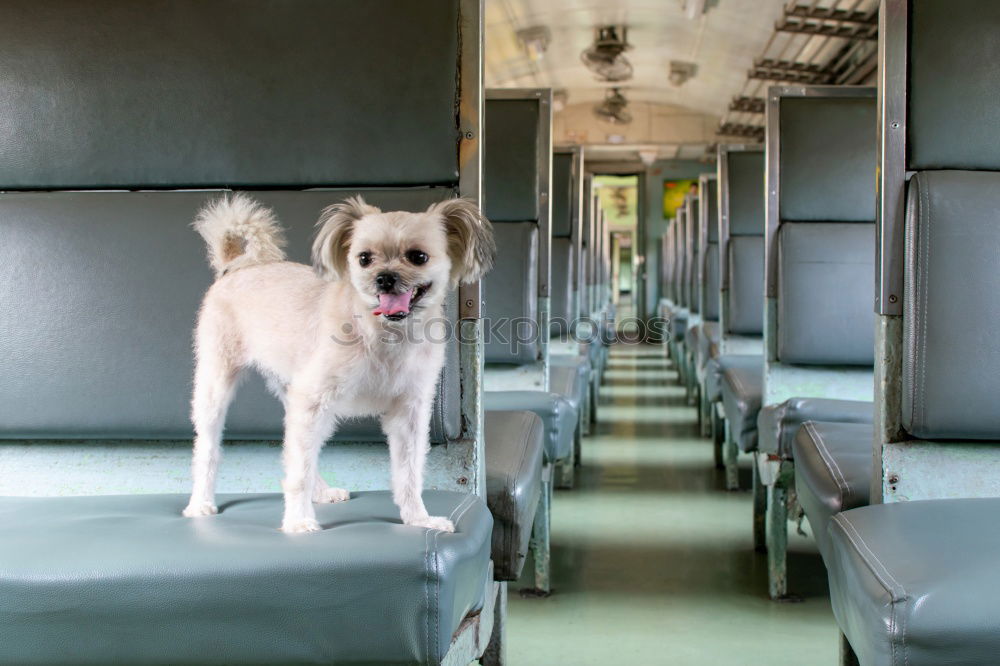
(778, 424)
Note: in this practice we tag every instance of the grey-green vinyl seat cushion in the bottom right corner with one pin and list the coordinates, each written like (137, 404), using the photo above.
(913, 583)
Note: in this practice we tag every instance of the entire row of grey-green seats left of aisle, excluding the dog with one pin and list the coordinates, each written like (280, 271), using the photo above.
(116, 149)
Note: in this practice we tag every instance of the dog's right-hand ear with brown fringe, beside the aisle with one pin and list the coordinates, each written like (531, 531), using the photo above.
(470, 239)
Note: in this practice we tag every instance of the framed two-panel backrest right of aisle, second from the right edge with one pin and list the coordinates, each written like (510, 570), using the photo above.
(820, 251)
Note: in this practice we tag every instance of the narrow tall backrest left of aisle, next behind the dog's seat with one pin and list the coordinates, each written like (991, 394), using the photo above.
(517, 176)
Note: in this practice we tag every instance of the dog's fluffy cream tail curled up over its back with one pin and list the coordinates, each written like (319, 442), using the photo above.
(240, 232)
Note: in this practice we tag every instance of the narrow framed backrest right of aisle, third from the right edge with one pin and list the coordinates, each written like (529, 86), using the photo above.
(741, 240)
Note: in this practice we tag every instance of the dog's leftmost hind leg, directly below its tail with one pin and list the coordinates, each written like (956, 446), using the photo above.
(216, 376)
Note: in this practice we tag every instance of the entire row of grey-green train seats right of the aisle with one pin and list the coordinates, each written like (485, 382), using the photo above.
(869, 416)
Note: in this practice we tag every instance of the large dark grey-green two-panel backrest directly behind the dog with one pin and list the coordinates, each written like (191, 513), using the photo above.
(108, 153)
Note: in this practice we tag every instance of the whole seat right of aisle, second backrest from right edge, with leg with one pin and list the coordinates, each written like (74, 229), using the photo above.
(820, 267)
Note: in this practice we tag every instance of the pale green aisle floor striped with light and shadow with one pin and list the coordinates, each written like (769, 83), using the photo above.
(652, 559)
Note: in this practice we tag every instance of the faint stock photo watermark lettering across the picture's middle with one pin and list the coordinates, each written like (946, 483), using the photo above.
(516, 334)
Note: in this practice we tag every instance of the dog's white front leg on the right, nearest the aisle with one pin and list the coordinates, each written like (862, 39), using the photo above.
(407, 426)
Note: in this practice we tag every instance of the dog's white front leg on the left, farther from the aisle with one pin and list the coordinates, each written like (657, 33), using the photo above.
(308, 424)
